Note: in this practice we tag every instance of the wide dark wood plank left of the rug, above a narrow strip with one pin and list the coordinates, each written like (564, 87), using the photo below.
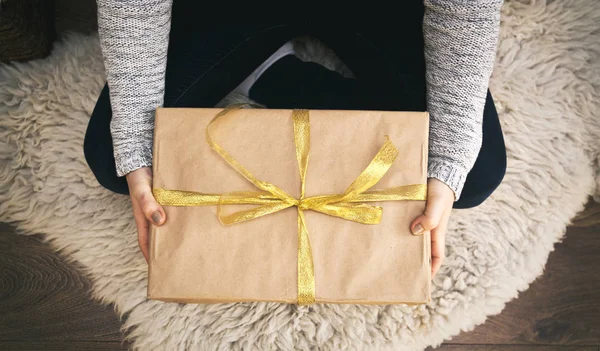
(42, 298)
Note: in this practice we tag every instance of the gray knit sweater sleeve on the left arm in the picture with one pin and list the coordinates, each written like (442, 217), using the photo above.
(134, 36)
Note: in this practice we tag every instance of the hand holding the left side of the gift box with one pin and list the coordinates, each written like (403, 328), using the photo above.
(145, 207)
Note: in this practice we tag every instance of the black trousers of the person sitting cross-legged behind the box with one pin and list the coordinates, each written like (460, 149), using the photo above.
(206, 62)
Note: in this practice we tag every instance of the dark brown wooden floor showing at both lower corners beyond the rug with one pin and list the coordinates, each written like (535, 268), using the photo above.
(45, 305)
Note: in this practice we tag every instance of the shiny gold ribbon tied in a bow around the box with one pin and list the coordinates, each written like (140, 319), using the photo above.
(351, 205)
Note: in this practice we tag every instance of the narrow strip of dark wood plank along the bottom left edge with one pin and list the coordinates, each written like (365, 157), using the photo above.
(61, 345)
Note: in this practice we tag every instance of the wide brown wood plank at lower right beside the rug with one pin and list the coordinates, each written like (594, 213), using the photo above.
(561, 307)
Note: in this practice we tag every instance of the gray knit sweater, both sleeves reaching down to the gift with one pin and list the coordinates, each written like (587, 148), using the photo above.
(460, 44)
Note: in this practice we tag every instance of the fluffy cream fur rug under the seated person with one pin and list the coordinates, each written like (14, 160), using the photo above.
(545, 84)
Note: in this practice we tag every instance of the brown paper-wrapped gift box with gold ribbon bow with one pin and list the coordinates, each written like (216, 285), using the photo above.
(290, 206)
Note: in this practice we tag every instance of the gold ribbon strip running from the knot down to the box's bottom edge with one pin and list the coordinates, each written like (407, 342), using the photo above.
(306, 269)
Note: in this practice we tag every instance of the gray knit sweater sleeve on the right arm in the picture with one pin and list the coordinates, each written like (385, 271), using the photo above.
(460, 46)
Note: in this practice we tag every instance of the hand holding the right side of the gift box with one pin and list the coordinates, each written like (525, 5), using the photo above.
(440, 198)
